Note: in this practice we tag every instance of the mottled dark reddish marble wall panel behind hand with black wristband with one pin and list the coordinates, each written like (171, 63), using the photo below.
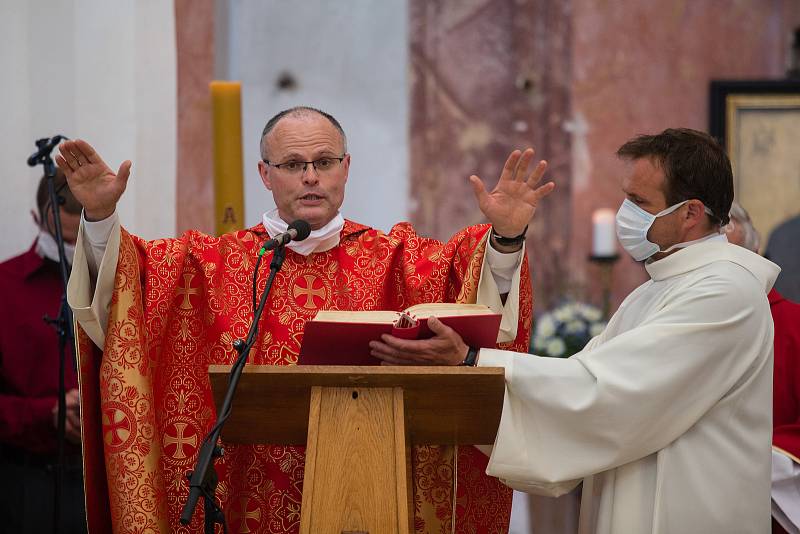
(489, 76)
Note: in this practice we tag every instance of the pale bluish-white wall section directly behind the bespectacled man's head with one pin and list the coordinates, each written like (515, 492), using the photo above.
(349, 59)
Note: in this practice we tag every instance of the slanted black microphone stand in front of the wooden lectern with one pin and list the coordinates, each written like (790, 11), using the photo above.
(203, 480)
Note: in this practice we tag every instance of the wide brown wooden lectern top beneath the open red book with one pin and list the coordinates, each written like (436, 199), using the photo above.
(443, 405)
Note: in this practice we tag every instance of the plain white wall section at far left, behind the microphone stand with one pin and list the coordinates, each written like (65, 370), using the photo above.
(102, 71)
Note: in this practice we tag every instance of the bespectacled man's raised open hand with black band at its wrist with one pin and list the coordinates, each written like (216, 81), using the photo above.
(511, 204)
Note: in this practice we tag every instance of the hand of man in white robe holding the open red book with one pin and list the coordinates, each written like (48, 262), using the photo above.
(445, 348)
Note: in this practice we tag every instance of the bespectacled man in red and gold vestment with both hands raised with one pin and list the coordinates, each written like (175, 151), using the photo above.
(164, 310)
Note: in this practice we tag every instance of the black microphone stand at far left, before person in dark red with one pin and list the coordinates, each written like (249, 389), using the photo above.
(62, 323)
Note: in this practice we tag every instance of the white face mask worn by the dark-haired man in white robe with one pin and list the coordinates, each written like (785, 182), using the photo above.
(633, 223)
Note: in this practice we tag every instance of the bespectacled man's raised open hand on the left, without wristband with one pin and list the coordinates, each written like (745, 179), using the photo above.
(91, 180)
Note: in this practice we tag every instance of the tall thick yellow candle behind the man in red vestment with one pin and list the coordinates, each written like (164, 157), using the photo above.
(226, 111)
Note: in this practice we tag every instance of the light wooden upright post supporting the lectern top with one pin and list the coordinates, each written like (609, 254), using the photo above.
(356, 477)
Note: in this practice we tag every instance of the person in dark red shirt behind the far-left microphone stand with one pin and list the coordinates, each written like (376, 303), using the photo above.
(30, 288)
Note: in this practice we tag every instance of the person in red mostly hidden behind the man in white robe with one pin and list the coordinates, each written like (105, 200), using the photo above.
(786, 389)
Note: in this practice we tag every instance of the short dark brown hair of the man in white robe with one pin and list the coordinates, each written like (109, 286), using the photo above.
(695, 167)
